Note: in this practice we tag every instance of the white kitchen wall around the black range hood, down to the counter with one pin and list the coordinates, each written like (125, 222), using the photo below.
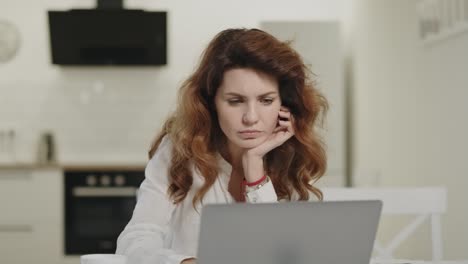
(110, 114)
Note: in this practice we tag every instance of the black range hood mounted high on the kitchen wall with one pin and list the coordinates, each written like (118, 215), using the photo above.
(108, 35)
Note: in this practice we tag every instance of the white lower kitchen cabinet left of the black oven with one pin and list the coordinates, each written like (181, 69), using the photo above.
(30, 215)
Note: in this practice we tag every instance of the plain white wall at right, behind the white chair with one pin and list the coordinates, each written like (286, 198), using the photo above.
(410, 108)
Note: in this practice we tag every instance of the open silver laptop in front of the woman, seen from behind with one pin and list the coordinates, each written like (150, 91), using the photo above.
(340, 232)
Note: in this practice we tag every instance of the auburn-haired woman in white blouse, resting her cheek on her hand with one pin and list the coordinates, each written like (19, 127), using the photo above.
(243, 132)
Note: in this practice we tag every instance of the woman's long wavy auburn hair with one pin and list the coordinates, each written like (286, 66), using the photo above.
(197, 137)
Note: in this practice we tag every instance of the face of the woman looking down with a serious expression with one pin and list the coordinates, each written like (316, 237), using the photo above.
(247, 104)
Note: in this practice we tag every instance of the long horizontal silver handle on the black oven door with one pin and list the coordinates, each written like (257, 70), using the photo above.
(104, 191)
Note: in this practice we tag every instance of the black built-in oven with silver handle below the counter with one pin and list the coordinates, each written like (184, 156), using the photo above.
(98, 205)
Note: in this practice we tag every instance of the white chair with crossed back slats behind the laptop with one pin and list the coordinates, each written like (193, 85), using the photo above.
(423, 203)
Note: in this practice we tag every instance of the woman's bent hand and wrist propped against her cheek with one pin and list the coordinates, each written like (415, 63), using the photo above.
(252, 160)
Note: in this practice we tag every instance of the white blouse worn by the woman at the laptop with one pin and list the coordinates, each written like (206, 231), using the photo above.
(161, 232)
